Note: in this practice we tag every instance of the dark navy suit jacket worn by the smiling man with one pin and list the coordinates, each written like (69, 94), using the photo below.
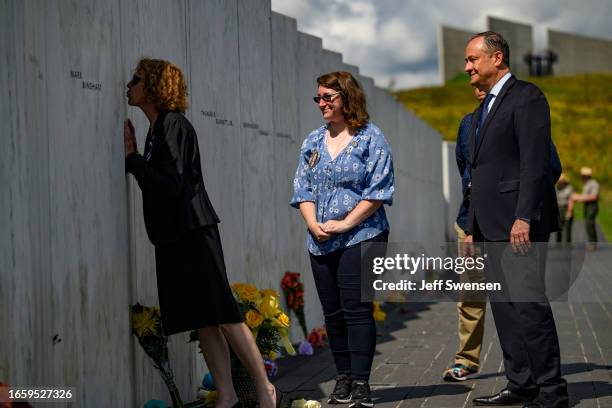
(511, 164)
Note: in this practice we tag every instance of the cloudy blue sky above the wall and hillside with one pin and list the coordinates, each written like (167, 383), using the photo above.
(397, 39)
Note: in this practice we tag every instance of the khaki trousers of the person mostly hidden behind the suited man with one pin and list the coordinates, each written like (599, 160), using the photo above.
(471, 318)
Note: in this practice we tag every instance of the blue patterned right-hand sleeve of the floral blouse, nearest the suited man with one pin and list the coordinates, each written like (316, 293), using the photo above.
(379, 178)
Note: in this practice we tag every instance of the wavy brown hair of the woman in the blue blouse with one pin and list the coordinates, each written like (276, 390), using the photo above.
(353, 98)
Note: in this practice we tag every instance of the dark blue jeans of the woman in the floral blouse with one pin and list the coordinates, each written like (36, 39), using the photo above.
(350, 325)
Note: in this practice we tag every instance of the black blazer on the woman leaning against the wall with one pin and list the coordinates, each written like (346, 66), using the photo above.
(170, 177)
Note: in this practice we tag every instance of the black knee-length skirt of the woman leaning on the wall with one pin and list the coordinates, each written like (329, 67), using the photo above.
(192, 283)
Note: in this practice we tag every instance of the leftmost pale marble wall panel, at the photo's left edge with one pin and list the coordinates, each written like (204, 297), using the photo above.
(24, 194)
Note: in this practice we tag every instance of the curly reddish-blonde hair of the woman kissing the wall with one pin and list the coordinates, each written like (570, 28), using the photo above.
(164, 84)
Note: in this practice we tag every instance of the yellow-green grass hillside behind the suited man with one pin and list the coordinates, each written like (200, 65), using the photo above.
(581, 119)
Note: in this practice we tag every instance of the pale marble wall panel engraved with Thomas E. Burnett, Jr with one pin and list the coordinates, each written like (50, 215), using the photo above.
(215, 107)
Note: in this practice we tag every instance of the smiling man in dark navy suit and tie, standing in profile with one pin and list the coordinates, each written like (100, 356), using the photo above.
(512, 201)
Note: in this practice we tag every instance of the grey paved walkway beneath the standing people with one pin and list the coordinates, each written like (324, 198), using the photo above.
(418, 341)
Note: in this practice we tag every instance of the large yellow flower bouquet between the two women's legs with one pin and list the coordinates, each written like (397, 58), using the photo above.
(263, 315)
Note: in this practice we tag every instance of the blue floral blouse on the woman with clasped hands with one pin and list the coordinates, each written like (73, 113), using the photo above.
(362, 171)
